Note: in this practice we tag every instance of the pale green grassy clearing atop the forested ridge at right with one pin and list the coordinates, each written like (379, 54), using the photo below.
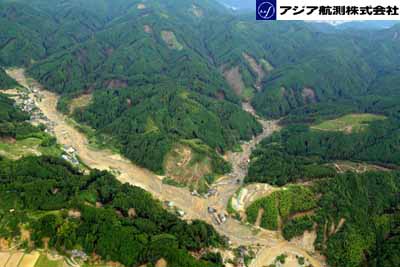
(349, 123)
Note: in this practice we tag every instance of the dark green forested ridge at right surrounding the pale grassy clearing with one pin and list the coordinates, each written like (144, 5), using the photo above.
(302, 150)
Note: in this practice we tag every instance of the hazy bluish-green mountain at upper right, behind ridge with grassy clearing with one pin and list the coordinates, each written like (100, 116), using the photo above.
(367, 63)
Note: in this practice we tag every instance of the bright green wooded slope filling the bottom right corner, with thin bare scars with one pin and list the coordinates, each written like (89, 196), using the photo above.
(362, 209)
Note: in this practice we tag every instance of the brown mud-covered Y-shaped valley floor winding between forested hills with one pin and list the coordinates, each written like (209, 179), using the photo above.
(194, 207)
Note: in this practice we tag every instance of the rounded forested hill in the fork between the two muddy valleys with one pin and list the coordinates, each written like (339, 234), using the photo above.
(148, 121)
